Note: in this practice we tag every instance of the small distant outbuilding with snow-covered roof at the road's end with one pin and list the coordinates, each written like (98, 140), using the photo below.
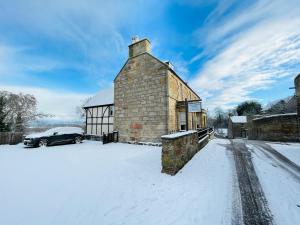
(237, 127)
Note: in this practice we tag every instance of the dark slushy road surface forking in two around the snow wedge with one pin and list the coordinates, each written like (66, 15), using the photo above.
(253, 202)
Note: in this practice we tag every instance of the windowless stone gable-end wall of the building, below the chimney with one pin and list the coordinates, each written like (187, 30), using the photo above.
(140, 99)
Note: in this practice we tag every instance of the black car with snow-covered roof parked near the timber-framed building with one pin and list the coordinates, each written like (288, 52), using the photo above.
(54, 136)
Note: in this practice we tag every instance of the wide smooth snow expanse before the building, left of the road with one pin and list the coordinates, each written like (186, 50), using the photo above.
(91, 183)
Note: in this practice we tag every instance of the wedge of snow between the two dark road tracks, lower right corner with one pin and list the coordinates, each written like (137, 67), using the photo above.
(281, 189)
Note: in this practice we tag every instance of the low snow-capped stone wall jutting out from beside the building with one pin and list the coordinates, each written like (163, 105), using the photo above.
(179, 148)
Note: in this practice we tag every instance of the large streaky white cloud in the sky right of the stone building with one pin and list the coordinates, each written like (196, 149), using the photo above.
(262, 45)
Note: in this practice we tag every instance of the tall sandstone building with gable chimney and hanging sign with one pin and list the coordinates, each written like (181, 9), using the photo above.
(151, 100)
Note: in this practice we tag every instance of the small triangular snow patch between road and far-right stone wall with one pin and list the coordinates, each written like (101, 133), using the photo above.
(289, 150)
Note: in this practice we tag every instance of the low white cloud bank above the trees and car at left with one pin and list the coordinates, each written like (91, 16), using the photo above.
(61, 104)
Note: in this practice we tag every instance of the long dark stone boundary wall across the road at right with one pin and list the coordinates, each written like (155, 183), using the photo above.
(281, 127)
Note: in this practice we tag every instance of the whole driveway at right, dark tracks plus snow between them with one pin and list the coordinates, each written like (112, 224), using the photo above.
(255, 162)
